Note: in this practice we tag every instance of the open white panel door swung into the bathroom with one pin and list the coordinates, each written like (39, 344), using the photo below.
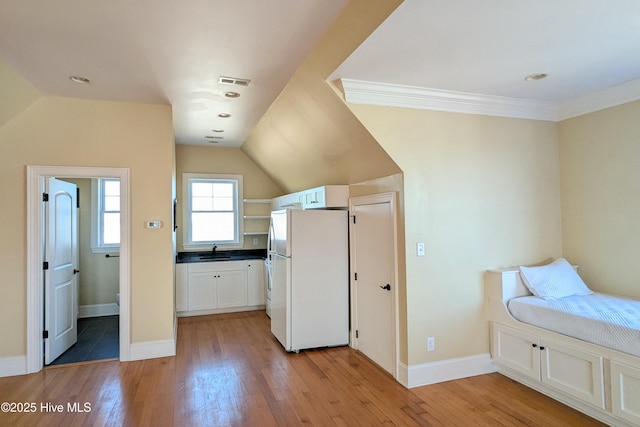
(61, 254)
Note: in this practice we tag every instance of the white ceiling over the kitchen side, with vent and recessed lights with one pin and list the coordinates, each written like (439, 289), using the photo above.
(167, 52)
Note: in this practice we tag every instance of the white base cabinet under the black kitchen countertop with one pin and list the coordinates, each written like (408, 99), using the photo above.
(219, 287)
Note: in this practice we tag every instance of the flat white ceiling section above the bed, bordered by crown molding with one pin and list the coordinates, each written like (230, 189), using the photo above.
(465, 47)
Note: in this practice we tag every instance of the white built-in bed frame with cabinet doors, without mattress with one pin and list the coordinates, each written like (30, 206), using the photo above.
(595, 380)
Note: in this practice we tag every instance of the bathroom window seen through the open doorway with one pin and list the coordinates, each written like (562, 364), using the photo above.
(105, 218)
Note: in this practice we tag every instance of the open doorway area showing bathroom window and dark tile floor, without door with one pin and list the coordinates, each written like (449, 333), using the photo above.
(97, 310)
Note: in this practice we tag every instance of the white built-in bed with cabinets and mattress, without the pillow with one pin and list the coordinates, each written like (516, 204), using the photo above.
(600, 378)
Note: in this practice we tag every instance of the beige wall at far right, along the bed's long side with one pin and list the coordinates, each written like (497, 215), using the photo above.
(600, 186)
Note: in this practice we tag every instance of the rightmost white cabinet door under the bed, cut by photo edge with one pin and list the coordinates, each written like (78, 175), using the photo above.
(625, 392)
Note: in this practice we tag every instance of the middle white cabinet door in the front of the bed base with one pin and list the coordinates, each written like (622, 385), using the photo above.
(576, 372)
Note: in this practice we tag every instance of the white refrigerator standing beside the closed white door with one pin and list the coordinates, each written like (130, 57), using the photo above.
(310, 278)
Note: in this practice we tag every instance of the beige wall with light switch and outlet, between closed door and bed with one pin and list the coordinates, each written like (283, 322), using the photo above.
(480, 192)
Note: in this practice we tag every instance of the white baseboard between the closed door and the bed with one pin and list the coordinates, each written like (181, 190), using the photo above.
(445, 370)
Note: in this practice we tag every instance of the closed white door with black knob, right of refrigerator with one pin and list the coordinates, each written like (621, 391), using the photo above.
(374, 290)
